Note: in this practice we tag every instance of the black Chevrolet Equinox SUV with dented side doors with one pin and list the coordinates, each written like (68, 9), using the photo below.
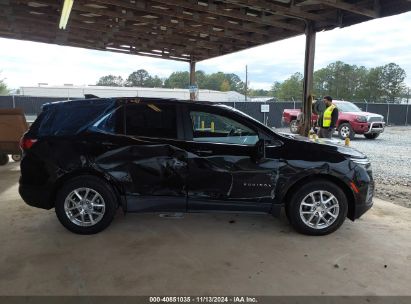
(88, 157)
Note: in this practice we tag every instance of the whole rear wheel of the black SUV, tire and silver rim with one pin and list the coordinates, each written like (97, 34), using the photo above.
(86, 205)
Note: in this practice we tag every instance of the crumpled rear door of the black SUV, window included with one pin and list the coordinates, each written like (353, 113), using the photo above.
(143, 155)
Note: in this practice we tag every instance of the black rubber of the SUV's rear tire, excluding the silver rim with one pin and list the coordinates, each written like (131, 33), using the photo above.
(96, 184)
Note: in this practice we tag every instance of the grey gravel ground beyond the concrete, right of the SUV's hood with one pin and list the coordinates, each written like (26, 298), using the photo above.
(390, 156)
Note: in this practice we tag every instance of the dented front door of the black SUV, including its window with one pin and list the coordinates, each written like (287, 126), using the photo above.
(224, 173)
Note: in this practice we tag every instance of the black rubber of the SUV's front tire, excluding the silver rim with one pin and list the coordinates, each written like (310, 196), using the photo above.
(295, 202)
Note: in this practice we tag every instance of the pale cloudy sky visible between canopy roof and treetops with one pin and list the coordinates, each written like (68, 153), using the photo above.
(370, 44)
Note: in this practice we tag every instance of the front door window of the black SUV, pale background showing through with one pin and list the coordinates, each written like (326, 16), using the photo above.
(208, 127)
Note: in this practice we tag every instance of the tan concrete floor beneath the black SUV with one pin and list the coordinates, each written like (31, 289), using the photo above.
(143, 254)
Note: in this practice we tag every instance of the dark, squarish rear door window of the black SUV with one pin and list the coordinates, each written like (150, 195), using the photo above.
(151, 120)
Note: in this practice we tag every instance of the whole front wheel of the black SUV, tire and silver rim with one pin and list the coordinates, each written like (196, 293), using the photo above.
(317, 208)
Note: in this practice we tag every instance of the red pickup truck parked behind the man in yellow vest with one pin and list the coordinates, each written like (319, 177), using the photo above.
(351, 120)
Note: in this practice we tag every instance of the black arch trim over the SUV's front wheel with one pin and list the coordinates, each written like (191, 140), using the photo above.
(315, 177)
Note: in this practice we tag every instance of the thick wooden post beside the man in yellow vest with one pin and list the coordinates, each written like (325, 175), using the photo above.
(310, 35)
